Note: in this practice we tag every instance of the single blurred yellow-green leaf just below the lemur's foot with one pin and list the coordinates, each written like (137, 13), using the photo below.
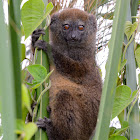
(30, 129)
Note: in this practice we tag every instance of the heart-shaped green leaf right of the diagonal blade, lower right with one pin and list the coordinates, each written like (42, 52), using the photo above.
(122, 99)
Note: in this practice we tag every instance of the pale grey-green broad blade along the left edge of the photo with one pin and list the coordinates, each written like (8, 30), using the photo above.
(6, 81)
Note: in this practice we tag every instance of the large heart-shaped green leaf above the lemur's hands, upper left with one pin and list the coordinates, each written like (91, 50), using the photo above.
(33, 14)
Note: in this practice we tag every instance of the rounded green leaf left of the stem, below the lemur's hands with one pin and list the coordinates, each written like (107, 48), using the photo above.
(38, 72)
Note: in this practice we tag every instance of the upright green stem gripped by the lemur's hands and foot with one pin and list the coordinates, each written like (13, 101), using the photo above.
(42, 58)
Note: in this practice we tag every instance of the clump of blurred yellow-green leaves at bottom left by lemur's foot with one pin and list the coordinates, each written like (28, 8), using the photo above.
(26, 131)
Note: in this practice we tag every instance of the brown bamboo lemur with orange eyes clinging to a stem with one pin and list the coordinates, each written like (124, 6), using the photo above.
(76, 84)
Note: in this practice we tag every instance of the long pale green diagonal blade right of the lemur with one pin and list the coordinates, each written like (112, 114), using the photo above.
(112, 70)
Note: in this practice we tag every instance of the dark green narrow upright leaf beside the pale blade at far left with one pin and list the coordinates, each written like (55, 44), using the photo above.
(14, 19)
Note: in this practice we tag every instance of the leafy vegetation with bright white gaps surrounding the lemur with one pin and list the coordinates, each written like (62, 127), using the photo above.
(17, 92)
